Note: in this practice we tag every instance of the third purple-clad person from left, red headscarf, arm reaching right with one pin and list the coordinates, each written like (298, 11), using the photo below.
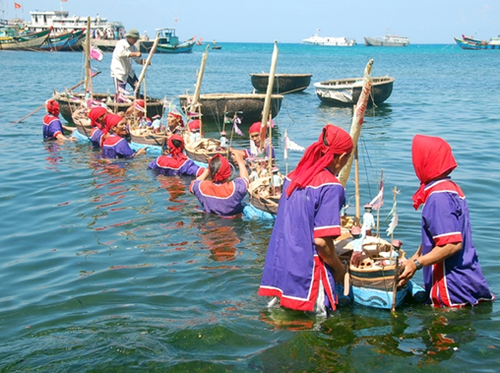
(115, 145)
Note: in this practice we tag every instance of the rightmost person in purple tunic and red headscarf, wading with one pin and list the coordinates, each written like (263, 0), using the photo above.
(452, 274)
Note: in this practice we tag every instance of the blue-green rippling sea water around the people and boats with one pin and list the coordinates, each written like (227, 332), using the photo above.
(108, 267)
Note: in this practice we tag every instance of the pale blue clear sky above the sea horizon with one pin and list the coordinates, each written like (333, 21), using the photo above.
(287, 21)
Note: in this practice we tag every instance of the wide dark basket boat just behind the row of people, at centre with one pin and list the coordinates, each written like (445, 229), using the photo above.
(247, 106)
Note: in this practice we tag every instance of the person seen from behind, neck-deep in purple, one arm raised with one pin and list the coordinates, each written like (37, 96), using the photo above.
(219, 195)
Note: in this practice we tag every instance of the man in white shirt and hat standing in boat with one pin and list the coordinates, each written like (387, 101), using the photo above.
(121, 63)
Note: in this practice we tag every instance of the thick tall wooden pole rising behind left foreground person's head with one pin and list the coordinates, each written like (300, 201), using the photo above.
(357, 120)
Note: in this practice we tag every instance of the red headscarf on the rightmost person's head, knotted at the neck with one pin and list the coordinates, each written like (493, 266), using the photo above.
(432, 159)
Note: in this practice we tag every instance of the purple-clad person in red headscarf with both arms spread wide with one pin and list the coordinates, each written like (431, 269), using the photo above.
(175, 162)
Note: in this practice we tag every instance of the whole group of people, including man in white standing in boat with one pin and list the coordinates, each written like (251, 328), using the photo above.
(302, 267)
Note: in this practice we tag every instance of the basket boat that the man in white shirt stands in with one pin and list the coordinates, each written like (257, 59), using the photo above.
(68, 103)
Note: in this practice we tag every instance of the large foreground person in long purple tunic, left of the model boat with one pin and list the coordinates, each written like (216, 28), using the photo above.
(302, 267)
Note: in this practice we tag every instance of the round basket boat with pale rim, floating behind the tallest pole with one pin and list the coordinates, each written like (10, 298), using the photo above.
(346, 92)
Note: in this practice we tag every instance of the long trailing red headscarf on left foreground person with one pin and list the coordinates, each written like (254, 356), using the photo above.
(318, 156)
